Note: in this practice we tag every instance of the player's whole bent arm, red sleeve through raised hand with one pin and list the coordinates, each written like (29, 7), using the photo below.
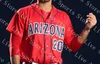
(75, 42)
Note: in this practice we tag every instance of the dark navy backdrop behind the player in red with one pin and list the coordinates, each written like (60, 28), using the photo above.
(79, 7)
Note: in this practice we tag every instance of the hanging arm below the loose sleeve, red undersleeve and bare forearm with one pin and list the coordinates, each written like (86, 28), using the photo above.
(15, 42)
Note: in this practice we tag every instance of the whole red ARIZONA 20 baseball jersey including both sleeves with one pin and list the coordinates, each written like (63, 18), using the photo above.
(39, 36)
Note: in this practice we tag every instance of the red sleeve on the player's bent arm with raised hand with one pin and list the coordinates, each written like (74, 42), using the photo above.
(70, 39)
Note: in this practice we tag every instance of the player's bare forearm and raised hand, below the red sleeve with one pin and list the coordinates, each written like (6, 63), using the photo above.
(91, 21)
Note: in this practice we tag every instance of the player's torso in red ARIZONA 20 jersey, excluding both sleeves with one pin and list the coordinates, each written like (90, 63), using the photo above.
(43, 35)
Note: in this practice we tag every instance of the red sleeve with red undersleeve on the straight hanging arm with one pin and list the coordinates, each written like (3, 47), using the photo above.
(16, 29)
